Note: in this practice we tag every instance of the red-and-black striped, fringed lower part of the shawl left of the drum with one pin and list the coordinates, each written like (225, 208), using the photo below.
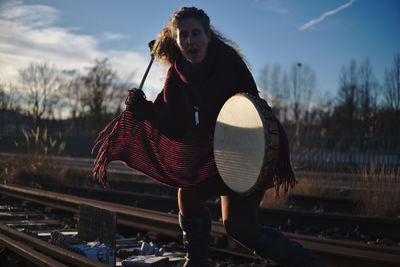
(141, 146)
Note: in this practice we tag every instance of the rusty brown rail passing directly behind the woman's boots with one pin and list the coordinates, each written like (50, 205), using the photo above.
(334, 252)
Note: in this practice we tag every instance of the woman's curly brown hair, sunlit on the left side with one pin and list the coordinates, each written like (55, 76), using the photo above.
(165, 48)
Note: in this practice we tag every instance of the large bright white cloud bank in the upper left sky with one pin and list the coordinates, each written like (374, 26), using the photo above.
(28, 34)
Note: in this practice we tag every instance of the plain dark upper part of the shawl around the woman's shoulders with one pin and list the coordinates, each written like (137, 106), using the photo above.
(203, 88)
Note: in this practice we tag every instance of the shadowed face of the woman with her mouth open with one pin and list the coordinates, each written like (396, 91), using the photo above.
(192, 40)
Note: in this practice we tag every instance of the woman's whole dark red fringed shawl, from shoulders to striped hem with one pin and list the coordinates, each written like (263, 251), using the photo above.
(161, 139)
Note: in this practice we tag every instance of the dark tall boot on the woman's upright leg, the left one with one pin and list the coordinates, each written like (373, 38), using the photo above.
(196, 239)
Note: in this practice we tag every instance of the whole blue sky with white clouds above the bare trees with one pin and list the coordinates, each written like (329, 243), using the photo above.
(324, 35)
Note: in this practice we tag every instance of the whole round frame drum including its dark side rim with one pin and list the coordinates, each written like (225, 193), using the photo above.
(246, 143)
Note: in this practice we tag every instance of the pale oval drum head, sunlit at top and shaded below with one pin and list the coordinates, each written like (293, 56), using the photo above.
(239, 143)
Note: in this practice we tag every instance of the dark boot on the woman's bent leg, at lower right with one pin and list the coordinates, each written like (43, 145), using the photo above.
(277, 247)
